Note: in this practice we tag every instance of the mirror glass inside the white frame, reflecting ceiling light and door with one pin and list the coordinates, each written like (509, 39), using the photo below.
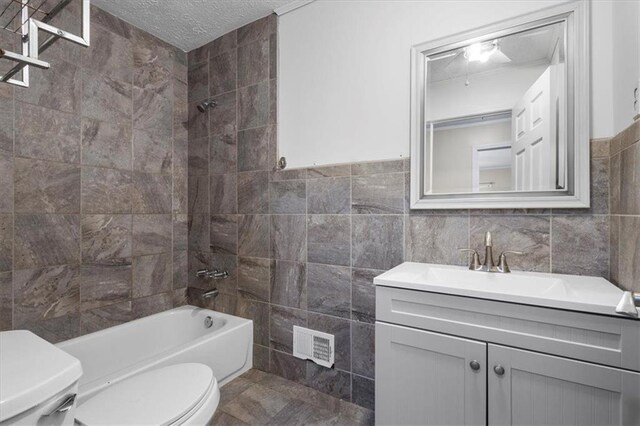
(496, 114)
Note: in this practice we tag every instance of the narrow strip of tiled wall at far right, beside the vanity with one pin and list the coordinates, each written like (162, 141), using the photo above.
(625, 208)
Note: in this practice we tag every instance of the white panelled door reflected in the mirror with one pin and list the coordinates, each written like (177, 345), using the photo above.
(533, 142)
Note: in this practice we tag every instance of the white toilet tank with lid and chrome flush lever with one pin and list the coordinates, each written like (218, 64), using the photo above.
(38, 381)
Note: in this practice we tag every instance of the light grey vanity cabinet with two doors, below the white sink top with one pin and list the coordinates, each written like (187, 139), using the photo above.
(451, 360)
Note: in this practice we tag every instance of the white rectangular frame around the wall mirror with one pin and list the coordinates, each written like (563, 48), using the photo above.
(577, 195)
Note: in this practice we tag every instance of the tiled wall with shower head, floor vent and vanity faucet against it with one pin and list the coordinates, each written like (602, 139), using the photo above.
(302, 246)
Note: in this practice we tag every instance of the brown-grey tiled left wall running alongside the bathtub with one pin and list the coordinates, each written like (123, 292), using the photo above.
(93, 188)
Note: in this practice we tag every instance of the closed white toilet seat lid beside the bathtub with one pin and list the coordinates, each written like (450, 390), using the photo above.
(165, 396)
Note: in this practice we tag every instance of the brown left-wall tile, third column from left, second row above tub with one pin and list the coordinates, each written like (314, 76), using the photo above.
(103, 285)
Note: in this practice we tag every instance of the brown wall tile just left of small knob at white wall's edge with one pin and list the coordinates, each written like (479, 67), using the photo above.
(253, 148)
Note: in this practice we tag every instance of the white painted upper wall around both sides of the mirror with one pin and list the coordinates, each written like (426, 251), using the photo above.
(344, 70)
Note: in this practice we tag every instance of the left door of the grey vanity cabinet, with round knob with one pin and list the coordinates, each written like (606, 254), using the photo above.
(425, 378)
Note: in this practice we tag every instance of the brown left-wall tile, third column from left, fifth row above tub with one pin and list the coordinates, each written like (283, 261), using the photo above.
(106, 144)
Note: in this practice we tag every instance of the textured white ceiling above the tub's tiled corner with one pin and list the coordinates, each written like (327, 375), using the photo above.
(188, 24)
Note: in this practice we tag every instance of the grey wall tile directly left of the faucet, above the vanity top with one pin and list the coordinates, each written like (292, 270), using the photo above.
(436, 239)
